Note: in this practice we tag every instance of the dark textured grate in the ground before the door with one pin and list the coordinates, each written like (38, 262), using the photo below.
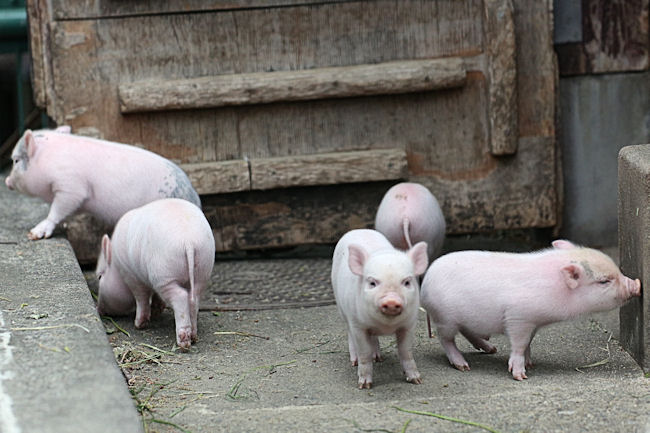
(269, 284)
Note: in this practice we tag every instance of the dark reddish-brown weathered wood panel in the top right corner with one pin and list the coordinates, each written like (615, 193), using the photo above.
(615, 38)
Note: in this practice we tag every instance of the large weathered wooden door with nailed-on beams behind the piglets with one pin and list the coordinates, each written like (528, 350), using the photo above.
(292, 117)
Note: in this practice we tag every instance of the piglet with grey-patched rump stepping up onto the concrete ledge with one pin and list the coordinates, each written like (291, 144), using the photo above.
(77, 173)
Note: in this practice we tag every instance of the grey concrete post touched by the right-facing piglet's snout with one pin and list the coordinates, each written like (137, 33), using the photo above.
(634, 246)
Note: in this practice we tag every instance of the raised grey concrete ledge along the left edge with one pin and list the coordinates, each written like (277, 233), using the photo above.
(57, 370)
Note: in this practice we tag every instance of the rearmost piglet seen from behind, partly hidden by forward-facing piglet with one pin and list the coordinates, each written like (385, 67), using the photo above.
(409, 213)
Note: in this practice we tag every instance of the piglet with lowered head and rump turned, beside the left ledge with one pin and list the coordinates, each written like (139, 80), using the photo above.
(165, 248)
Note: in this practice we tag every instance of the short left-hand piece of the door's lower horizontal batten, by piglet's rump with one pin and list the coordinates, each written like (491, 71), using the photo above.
(219, 177)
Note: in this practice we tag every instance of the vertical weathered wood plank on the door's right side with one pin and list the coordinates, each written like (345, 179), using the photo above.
(502, 76)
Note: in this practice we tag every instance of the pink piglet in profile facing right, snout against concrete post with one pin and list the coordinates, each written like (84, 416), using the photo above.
(481, 293)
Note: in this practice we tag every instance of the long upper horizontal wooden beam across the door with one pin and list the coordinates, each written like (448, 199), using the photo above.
(307, 84)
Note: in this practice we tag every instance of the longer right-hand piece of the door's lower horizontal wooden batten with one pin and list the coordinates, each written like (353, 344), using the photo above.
(330, 168)
